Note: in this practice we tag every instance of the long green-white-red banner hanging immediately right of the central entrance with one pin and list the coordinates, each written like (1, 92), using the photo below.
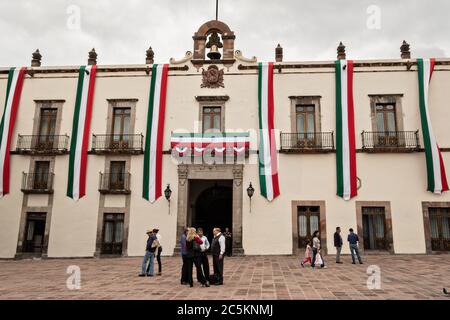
(268, 166)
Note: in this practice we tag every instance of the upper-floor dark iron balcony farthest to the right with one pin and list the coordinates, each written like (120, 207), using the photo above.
(390, 141)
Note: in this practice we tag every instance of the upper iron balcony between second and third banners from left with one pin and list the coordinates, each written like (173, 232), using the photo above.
(117, 144)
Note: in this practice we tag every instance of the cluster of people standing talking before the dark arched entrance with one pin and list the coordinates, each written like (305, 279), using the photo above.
(194, 247)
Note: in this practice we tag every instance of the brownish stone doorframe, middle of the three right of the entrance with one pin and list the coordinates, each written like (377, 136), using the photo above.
(388, 219)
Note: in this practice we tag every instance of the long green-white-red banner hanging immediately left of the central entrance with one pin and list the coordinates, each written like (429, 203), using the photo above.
(152, 188)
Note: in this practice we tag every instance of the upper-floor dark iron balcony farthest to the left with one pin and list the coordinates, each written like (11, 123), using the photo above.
(43, 144)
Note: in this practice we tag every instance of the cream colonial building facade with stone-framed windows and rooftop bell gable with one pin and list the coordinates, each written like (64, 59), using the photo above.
(211, 151)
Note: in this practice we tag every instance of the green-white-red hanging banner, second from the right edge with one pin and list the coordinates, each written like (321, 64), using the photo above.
(345, 131)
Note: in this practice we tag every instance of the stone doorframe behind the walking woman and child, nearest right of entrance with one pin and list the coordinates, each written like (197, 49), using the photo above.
(322, 223)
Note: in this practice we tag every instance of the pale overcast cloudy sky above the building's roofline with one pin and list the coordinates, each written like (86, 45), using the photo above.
(121, 30)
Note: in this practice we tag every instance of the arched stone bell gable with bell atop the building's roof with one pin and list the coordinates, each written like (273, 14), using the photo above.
(213, 36)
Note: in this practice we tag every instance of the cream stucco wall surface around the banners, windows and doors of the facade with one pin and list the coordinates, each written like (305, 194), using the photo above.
(398, 178)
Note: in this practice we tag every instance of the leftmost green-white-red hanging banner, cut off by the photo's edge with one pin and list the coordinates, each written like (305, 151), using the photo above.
(13, 92)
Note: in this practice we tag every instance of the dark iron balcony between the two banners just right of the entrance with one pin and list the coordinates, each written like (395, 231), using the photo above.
(308, 142)
